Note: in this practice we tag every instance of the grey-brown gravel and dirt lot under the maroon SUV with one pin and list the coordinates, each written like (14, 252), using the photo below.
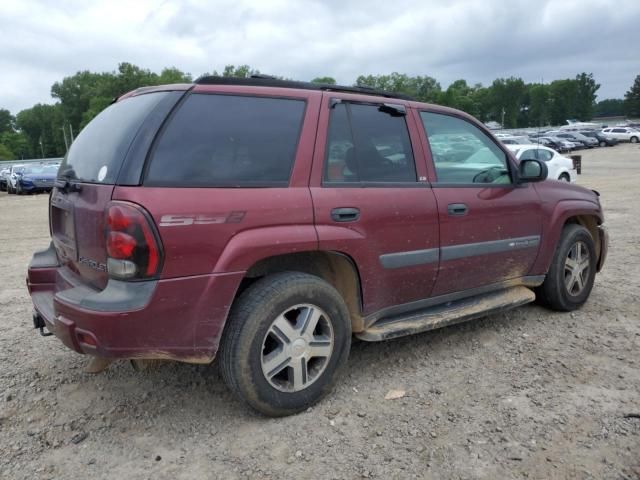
(530, 393)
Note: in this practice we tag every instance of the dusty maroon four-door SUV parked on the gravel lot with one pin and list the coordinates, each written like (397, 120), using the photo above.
(266, 221)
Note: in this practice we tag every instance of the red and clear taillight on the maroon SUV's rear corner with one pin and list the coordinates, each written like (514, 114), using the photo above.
(134, 251)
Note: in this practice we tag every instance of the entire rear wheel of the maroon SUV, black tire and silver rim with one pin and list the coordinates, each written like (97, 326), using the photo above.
(286, 339)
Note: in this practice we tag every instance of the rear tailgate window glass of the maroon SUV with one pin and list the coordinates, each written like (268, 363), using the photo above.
(97, 154)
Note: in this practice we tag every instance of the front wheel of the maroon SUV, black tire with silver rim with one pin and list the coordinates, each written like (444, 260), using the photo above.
(572, 271)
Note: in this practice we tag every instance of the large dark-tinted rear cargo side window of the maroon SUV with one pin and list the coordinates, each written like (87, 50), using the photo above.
(228, 141)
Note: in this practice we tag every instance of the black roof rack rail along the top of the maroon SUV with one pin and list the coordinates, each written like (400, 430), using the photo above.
(270, 81)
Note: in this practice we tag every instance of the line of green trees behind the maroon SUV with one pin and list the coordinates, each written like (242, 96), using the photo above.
(45, 130)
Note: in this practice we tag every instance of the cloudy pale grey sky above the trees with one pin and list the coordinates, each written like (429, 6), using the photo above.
(41, 42)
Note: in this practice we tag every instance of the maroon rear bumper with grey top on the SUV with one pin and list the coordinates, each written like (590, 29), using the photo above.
(179, 319)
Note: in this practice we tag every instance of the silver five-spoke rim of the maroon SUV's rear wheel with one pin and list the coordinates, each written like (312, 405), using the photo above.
(297, 348)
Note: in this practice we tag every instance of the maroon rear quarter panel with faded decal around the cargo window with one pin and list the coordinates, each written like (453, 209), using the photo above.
(218, 230)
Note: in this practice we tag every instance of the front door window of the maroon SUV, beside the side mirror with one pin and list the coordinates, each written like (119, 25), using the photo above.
(462, 153)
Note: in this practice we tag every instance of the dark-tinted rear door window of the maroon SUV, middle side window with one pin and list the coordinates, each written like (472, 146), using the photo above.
(366, 144)
